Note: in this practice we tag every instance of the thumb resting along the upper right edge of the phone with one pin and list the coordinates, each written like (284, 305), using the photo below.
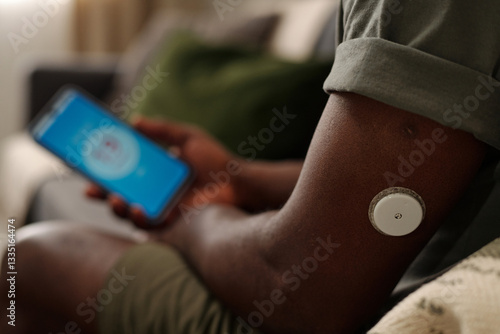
(170, 133)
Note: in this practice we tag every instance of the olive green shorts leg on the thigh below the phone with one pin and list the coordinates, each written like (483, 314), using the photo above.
(154, 291)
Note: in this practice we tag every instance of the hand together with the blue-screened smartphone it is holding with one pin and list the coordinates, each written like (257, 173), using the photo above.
(146, 183)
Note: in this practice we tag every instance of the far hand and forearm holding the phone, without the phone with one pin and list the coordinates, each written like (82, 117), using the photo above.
(257, 187)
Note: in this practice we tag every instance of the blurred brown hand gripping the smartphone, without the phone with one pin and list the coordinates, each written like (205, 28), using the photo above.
(215, 169)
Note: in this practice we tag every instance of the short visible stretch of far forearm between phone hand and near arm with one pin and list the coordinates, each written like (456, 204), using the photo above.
(266, 185)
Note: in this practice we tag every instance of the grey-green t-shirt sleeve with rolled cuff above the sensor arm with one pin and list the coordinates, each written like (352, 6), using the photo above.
(439, 59)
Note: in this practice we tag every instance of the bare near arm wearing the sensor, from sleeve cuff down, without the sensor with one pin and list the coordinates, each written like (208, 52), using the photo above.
(317, 265)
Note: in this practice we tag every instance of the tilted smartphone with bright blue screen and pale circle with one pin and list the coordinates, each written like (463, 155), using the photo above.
(91, 140)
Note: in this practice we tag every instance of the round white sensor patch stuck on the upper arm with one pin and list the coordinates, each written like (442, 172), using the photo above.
(396, 211)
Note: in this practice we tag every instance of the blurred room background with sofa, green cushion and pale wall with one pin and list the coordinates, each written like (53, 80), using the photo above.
(106, 46)
